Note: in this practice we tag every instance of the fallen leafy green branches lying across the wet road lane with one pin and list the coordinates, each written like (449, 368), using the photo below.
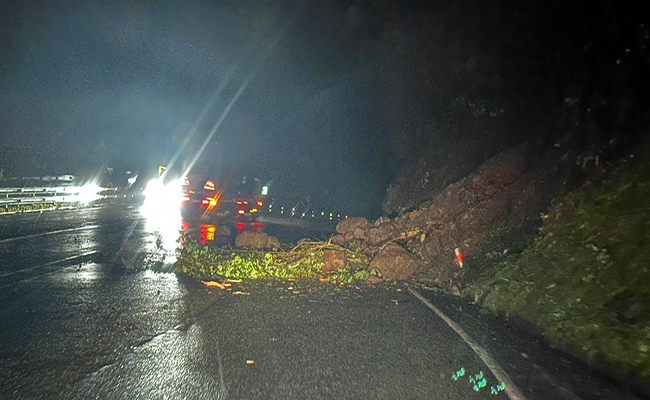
(305, 261)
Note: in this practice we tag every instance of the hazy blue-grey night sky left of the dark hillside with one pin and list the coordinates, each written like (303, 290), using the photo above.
(87, 85)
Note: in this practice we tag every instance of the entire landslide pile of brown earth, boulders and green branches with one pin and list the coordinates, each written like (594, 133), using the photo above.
(419, 242)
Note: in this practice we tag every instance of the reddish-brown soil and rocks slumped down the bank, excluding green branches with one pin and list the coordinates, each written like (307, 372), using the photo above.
(463, 214)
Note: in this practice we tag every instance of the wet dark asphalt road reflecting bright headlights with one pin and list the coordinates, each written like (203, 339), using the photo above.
(81, 318)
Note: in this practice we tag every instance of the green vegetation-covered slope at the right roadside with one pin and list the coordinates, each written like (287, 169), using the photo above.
(584, 281)
